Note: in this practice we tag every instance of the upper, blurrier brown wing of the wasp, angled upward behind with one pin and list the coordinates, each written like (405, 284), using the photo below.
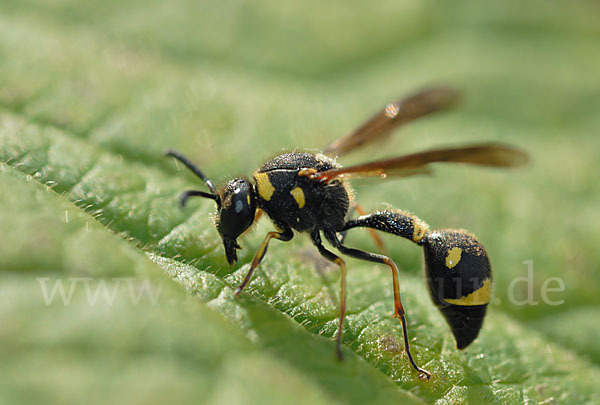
(394, 114)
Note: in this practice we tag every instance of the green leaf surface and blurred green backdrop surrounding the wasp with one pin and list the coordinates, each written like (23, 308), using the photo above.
(92, 93)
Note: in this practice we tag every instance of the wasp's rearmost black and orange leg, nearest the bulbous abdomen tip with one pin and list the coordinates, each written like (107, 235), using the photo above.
(398, 309)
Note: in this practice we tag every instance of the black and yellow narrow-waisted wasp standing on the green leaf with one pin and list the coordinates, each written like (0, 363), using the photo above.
(310, 193)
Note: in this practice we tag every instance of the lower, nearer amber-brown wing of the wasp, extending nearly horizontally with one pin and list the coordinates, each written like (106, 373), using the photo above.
(493, 155)
